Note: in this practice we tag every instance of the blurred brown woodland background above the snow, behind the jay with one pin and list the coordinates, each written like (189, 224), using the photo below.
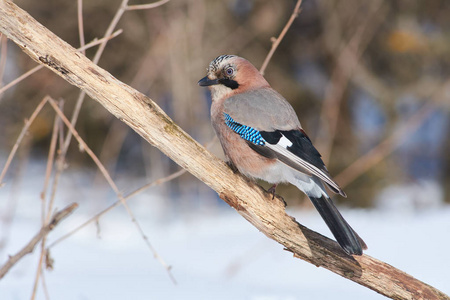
(369, 81)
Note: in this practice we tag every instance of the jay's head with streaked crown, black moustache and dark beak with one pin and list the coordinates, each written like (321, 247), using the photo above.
(230, 74)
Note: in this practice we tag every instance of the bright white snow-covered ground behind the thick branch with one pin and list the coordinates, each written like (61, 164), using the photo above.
(214, 253)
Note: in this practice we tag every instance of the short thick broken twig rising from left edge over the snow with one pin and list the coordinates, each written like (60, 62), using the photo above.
(35, 240)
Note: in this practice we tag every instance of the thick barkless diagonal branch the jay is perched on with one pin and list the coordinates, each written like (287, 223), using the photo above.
(252, 202)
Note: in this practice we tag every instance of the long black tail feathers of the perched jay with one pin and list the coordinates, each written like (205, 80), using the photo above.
(344, 234)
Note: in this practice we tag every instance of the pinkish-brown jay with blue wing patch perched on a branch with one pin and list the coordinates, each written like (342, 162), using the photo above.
(262, 138)
